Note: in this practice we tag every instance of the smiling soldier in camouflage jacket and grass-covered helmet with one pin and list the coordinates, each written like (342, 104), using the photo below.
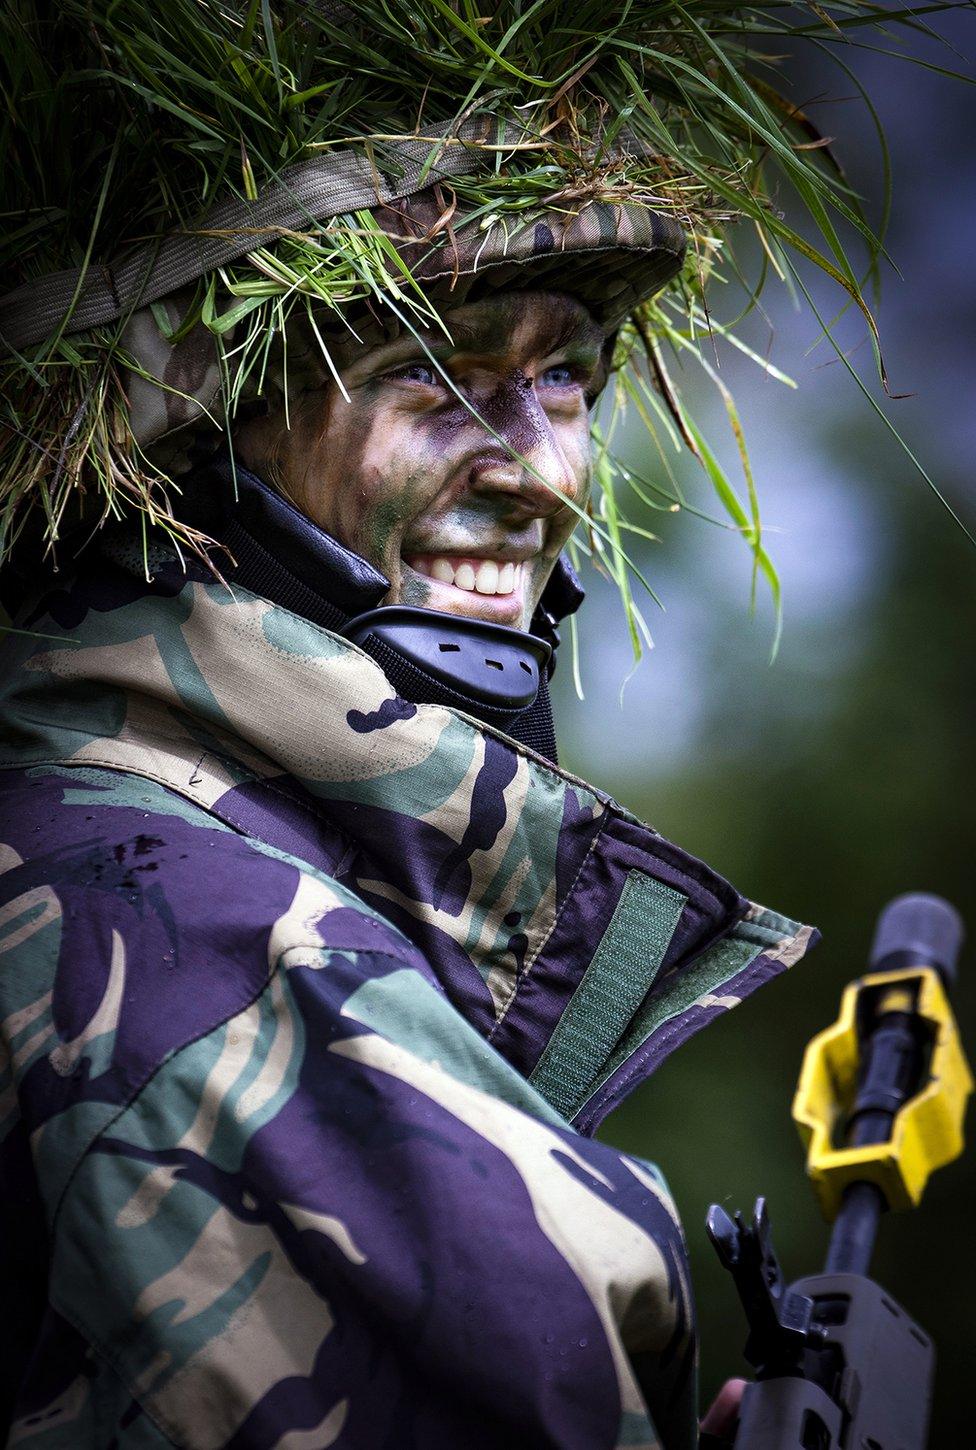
(320, 972)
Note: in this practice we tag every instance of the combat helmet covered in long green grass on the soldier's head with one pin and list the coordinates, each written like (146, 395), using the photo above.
(207, 194)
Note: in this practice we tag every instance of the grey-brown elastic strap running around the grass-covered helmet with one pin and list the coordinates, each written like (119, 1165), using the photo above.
(308, 192)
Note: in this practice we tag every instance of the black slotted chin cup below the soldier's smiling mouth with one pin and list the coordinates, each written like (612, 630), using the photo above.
(447, 658)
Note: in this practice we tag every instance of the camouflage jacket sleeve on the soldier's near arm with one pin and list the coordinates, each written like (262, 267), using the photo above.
(330, 1214)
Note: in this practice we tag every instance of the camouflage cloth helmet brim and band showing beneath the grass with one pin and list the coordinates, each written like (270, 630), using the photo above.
(611, 256)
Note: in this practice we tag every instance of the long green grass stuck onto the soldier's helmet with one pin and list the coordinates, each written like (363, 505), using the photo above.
(130, 123)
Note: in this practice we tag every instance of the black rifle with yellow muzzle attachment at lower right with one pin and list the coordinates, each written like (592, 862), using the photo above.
(881, 1106)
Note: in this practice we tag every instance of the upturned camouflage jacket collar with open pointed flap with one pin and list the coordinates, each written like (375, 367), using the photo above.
(578, 940)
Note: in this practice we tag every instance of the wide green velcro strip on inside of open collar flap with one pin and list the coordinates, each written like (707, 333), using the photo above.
(617, 981)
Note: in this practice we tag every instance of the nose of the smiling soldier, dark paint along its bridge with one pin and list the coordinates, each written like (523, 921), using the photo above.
(518, 421)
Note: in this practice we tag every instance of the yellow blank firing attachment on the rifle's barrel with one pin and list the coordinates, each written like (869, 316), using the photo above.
(927, 1130)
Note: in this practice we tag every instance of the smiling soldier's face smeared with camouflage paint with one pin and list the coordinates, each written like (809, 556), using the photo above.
(404, 475)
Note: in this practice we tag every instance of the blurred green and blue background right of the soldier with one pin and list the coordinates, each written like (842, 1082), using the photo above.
(843, 774)
